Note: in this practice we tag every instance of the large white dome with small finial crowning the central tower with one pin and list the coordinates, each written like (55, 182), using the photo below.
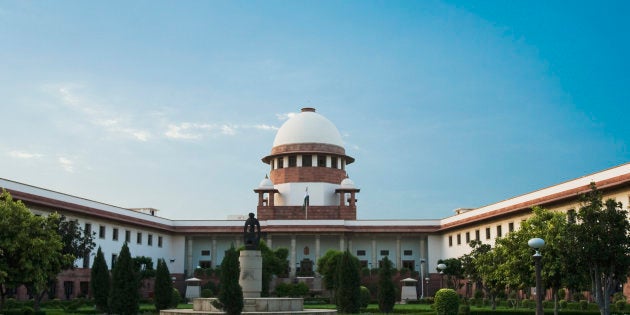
(308, 127)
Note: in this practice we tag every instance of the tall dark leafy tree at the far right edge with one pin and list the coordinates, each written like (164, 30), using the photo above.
(602, 234)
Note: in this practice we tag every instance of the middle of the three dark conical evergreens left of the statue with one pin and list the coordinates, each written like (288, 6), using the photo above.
(124, 297)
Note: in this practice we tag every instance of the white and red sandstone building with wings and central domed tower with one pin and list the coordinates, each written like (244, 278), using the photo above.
(308, 205)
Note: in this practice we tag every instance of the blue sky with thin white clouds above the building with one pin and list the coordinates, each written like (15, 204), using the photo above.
(171, 104)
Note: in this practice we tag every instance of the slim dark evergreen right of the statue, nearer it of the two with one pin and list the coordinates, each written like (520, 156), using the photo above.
(348, 286)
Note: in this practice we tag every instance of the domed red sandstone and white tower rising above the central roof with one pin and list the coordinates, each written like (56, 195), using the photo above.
(308, 179)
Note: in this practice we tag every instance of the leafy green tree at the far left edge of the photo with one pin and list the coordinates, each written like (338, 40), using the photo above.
(30, 249)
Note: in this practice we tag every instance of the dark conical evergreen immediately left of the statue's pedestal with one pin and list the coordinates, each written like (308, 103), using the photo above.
(231, 293)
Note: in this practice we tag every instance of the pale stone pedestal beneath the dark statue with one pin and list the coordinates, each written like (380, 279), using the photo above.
(251, 273)
